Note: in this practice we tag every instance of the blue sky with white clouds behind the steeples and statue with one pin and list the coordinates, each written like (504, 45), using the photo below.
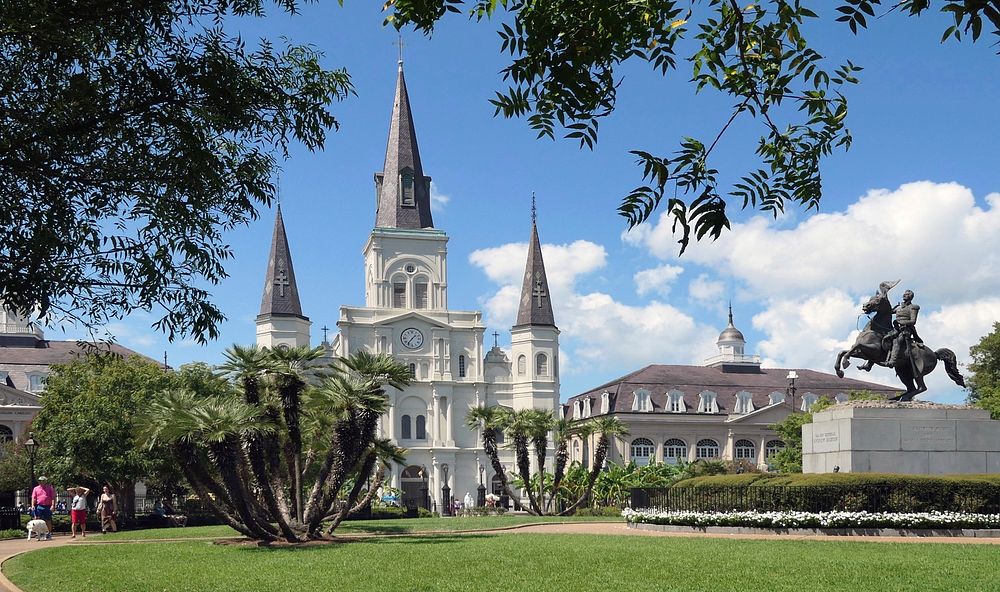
(915, 198)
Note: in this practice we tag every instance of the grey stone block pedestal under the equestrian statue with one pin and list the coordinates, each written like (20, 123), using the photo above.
(915, 438)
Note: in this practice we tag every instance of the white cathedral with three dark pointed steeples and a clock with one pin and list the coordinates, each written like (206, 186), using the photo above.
(406, 314)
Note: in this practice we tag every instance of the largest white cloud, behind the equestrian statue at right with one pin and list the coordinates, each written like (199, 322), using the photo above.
(810, 277)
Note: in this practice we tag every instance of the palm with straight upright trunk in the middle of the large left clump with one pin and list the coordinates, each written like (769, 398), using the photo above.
(292, 367)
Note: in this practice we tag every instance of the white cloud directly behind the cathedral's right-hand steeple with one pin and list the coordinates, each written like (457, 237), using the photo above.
(598, 333)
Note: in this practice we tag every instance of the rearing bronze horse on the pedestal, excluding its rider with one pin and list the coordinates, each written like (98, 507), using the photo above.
(873, 346)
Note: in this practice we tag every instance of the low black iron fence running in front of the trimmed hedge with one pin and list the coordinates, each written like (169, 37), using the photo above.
(984, 499)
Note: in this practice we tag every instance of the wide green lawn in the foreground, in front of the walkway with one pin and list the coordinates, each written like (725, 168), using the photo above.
(515, 562)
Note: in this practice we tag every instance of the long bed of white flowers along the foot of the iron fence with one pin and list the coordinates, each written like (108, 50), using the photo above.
(790, 519)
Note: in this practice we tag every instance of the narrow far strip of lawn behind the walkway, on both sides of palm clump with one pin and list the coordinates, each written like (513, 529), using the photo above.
(399, 526)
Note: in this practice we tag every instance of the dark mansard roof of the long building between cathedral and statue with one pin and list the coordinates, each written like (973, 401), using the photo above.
(658, 379)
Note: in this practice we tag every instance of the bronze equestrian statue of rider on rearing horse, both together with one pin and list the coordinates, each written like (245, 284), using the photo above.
(894, 343)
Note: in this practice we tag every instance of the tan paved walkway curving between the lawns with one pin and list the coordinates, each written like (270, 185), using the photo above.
(10, 548)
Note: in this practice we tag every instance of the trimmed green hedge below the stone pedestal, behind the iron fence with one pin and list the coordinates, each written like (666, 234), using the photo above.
(869, 492)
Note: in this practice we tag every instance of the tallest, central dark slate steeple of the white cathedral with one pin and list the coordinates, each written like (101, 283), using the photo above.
(402, 190)
